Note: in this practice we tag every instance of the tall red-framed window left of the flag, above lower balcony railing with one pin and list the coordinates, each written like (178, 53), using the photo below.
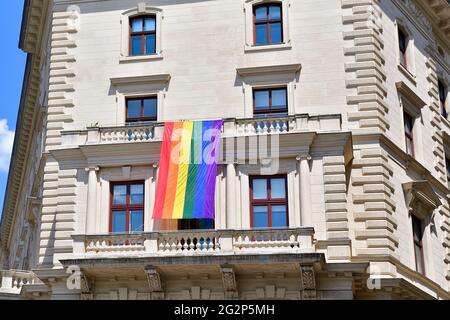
(127, 207)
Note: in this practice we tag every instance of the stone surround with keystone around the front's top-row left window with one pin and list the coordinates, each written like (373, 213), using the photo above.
(141, 9)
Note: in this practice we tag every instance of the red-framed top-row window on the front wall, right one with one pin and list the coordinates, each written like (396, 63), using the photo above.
(268, 24)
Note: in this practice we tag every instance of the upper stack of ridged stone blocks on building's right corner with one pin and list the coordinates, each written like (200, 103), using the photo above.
(366, 75)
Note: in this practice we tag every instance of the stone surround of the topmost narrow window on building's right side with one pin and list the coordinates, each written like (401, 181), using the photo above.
(409, 71)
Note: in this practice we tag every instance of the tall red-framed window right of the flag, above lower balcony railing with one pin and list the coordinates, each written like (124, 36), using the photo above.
(269, 206)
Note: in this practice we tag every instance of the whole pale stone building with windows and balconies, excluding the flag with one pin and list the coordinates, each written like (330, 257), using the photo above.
(333, 181)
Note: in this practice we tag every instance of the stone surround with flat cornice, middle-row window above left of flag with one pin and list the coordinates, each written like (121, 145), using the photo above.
(136, 87)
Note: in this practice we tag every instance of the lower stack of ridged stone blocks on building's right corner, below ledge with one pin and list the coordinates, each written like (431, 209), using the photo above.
(374, 206)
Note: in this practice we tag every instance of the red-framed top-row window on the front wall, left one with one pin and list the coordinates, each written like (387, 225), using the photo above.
(143, 35)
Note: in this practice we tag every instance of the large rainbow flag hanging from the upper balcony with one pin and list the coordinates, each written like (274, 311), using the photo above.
(187, 170)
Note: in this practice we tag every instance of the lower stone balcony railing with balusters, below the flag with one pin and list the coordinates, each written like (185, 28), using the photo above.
(194, 243)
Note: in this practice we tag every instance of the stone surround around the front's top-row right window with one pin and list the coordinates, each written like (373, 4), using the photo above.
(248, 12)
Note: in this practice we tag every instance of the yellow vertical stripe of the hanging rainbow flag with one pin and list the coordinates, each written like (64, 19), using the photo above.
(183, 168)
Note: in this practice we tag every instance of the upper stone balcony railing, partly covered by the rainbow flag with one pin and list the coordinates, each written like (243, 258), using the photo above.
(232, 128)
